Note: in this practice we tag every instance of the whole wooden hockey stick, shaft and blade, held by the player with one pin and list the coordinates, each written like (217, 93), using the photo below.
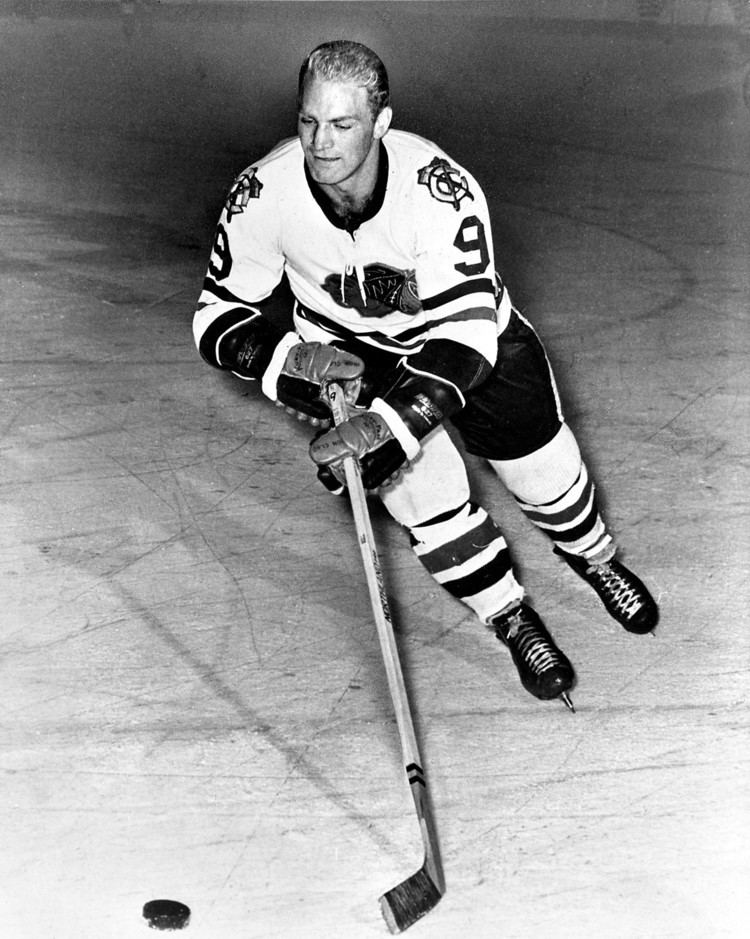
(405, 903)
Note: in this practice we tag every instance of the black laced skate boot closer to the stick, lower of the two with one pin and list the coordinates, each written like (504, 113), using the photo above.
(543, 669)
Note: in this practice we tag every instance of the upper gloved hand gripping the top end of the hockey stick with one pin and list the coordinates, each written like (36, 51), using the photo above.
(308, 367)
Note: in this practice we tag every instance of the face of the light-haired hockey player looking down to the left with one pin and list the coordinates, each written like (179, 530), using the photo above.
(338, 131)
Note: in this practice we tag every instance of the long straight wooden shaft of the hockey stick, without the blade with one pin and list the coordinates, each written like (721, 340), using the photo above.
(389, 649)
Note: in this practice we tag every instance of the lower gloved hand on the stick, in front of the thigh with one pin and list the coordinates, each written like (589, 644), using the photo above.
(367, 438)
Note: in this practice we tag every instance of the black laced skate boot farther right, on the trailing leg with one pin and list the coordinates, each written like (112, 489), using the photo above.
(625, 598)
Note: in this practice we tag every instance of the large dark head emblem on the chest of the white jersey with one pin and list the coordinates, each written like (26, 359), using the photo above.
(383, 290)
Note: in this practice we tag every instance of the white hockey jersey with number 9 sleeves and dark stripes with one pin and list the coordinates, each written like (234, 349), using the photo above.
(415, 277)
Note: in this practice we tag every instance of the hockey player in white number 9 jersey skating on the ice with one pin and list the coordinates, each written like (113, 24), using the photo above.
(387, 245)
